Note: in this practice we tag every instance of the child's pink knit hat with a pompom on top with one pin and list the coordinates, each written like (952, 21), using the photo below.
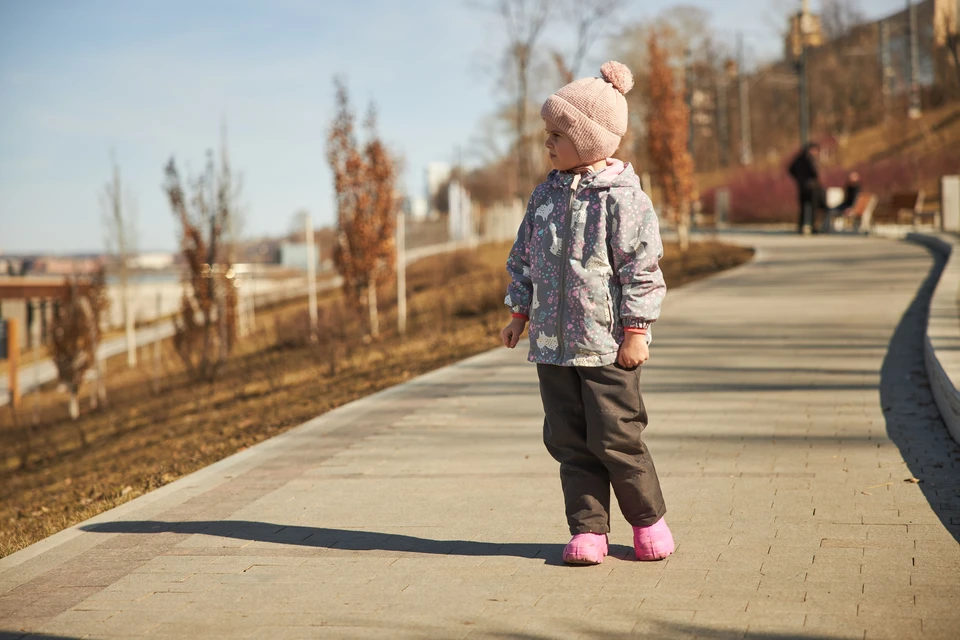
(592, 112)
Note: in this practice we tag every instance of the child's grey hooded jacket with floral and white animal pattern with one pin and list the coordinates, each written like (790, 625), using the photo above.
(585, 265)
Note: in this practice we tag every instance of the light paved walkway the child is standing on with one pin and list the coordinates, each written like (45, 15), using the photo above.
(788, 406)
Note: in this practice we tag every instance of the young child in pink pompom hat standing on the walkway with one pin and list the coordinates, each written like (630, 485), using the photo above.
(585, 274)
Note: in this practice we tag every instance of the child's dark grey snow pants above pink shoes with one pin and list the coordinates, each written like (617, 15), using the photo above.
(594, 418)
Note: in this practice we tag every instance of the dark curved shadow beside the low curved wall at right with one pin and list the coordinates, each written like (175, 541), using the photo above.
(913, 419)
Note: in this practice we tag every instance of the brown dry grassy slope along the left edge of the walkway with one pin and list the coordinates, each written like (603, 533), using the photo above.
(159, 425)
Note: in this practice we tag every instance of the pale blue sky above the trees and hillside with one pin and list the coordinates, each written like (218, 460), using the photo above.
(150, 80)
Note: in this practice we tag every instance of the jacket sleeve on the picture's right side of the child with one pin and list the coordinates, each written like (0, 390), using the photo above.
(636, 249)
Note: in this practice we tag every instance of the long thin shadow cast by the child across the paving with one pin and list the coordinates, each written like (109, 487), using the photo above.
(346, 540)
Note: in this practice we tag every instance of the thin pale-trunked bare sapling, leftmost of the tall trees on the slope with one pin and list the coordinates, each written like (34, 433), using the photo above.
(122, 241)
